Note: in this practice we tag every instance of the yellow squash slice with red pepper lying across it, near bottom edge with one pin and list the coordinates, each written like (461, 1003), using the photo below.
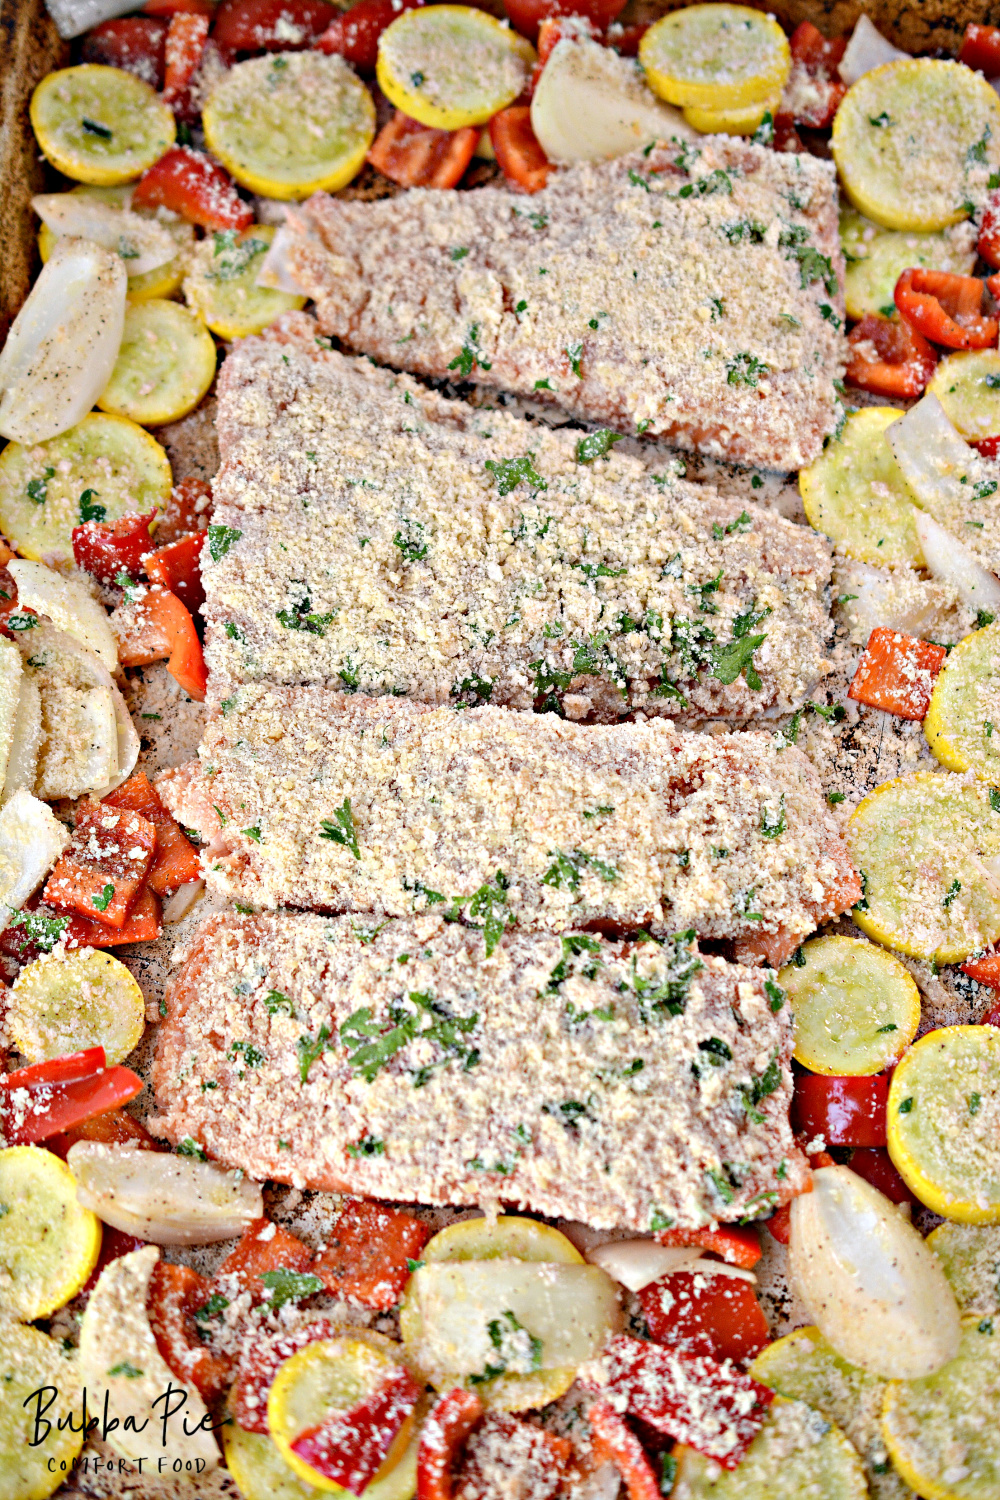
(331, 1375)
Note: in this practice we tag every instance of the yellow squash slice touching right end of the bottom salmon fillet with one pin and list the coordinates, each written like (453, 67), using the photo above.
(855, 1007)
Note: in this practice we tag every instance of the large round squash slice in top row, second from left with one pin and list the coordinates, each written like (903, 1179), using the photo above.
(292, 125)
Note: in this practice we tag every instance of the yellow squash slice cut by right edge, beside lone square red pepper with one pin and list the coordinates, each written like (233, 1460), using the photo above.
(963, 722)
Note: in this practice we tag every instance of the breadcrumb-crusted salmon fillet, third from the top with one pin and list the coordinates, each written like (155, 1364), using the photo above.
(316, 799)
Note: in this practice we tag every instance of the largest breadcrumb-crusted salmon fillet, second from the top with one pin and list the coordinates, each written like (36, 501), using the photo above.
(388, 539)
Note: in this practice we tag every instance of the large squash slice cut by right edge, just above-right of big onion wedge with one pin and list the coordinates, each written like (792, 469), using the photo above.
(944, 1123)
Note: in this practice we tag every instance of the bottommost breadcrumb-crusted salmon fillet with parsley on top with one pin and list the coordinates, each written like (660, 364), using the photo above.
(621, 1084)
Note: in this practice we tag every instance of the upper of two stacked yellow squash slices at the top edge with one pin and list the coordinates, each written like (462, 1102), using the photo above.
(716, 56)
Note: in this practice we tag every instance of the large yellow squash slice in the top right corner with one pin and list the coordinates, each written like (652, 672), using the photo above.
(890, 164)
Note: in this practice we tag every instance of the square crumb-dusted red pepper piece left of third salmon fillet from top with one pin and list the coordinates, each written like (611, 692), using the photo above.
(106, 866)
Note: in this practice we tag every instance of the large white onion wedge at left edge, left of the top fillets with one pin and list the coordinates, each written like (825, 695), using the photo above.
(64, 344)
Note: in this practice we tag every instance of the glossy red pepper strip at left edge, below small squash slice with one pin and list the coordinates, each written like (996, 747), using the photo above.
(49, 1097)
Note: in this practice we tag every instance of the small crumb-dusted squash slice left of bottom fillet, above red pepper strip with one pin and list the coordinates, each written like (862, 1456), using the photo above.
(62, 1004)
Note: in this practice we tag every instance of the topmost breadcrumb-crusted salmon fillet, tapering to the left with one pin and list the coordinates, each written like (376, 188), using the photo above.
(692, 293)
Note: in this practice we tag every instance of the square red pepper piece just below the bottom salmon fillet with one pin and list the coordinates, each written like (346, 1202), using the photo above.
(368, 1252)
